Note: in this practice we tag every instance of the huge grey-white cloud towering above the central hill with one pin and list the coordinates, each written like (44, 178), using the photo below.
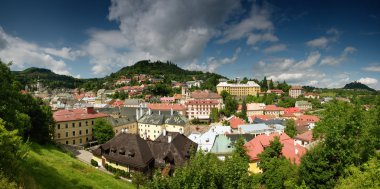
(175, 30)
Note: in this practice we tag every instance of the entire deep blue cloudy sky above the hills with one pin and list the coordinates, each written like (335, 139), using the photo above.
(316, 43)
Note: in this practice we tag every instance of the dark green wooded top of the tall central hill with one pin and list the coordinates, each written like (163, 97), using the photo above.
(158, 69)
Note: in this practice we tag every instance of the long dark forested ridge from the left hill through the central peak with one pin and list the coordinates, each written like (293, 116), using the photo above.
(168, 71)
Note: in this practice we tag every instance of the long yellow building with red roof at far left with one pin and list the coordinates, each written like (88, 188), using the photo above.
(74, 127)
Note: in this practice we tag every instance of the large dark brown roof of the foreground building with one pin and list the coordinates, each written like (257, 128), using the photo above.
(144, 152)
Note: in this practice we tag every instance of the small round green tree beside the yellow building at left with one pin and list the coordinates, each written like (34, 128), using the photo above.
(103, 131)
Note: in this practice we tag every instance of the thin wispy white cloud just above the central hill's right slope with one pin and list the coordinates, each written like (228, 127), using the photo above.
(213, 63)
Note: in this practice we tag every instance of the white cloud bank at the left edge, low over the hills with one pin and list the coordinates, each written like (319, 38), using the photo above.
(25, 54)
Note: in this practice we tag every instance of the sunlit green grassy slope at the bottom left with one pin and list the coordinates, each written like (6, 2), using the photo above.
(48, 167)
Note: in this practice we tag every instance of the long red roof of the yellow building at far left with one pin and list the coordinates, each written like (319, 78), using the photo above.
(76, 114)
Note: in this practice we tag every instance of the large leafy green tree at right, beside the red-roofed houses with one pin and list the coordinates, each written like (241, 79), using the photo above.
(347, 140)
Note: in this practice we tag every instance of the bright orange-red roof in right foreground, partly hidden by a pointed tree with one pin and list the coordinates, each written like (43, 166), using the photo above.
(290, 150)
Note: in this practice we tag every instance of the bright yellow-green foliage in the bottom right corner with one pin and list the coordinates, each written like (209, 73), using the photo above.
(364, 176)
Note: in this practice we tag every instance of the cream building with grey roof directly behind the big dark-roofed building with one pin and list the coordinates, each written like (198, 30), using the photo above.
(152, 125)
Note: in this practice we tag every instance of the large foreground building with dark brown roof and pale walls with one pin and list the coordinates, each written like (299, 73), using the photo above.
(130, 153)
